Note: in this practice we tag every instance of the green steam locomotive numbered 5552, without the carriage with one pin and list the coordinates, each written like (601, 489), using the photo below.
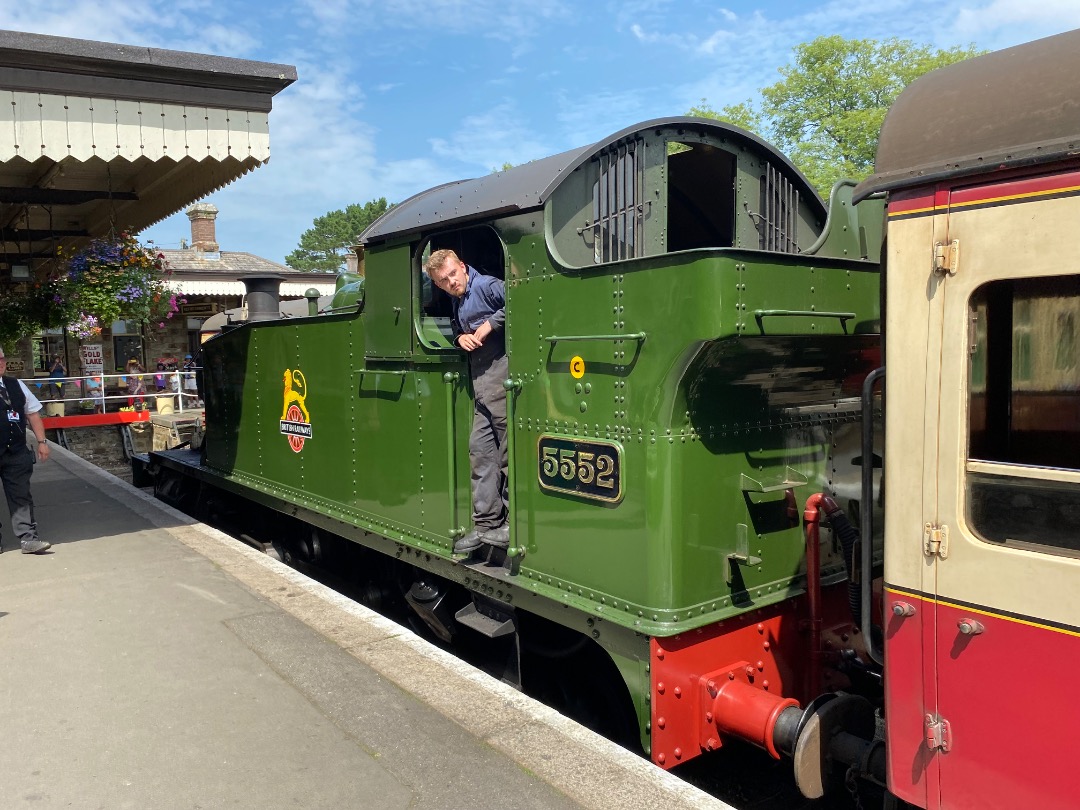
(688, 330)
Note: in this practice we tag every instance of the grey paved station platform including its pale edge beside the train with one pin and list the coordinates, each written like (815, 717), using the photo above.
(151, 661)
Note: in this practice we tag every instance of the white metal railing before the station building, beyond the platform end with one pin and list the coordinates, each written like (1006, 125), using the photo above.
(102, 389)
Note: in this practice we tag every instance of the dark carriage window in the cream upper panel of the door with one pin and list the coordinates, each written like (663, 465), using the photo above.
(1024, 413)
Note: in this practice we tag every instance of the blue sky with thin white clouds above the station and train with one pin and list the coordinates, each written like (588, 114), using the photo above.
(397, 97)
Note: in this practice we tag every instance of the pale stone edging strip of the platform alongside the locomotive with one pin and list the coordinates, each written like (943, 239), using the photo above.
(590, 769)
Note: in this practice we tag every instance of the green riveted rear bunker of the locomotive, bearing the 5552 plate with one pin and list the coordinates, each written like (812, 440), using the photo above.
(715, 417)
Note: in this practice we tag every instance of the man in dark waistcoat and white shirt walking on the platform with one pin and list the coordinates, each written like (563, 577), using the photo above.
(17, 462)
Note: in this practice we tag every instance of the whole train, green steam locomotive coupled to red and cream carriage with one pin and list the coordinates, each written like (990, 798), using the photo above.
(701, 549)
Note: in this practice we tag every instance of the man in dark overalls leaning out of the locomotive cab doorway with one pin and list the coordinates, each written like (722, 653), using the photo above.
(479, 318)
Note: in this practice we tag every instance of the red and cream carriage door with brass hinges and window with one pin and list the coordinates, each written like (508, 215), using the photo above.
(1006, 538)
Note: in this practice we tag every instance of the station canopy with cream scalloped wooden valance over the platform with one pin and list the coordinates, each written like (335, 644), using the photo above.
(98, 137)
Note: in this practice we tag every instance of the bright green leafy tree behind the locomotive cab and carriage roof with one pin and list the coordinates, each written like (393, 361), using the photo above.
(827, 112)
